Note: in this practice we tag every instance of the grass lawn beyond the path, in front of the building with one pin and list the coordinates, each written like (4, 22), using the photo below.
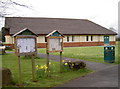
(91, 53)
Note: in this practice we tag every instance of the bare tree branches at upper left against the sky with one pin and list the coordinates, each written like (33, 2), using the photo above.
(4, 6)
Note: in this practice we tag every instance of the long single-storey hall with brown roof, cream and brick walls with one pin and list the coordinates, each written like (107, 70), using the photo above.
(77, 32)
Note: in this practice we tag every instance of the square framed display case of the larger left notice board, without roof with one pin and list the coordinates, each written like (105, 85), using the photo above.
(25, 45)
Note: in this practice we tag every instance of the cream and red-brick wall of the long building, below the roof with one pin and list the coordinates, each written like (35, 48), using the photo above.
(74, 40)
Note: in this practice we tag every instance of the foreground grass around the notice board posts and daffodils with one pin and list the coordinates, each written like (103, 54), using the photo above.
(10, 61)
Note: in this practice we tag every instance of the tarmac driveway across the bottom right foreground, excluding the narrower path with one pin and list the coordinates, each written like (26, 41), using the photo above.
(104, 78)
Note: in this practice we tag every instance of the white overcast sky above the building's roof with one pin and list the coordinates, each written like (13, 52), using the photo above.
(103, 12)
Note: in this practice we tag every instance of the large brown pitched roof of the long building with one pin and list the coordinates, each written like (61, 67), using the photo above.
(47, 25)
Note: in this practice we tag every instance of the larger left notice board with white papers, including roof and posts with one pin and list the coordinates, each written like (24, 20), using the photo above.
(25, 44)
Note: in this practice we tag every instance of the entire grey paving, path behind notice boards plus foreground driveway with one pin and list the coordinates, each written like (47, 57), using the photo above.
(106, 75)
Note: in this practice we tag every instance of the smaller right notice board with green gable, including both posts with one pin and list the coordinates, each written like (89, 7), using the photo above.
(54, 44)
